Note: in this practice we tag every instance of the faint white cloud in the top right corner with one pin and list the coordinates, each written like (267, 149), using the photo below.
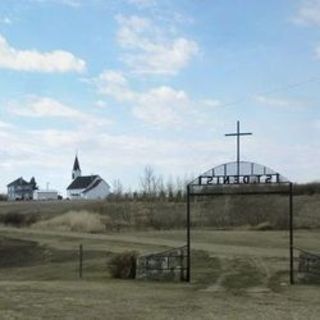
(309, 13)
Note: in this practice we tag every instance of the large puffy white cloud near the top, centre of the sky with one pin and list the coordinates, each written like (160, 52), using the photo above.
(150, 50)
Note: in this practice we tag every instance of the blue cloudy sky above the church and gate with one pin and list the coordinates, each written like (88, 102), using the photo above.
(133, 83)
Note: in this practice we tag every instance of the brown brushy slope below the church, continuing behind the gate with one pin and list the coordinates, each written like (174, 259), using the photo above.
(218, 212)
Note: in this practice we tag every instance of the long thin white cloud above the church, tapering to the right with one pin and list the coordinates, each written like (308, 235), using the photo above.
(44, 107)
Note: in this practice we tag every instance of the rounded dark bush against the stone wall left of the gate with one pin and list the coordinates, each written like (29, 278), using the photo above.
(123, 265)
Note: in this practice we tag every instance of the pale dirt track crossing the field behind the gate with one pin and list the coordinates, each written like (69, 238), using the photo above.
(119, 241)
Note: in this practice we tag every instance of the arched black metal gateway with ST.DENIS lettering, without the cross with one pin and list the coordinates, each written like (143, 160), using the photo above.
(240, 178)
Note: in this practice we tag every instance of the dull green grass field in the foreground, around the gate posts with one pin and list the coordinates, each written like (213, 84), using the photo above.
(236, 275)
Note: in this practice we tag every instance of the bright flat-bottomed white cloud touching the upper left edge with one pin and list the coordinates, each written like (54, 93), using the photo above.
(33, 60)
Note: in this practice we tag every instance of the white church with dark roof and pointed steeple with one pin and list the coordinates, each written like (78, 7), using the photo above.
(91, 187)
